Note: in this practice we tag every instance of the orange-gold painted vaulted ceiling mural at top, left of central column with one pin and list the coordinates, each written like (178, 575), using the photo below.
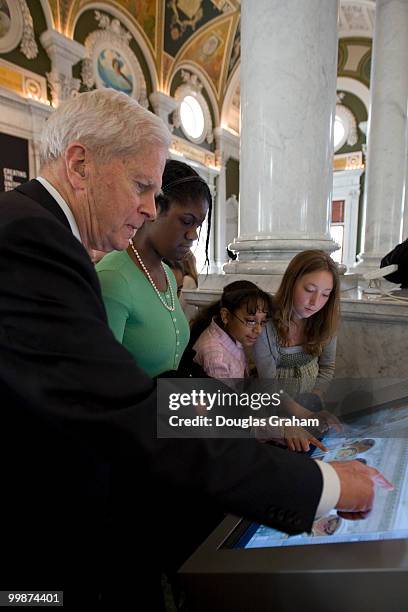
(202, 32)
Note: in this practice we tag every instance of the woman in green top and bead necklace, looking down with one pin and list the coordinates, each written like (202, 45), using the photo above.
(139, 290)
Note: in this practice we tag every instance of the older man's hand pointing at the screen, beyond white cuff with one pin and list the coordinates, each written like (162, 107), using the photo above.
(357, 482)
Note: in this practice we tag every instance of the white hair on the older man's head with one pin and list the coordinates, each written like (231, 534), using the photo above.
(108, 122)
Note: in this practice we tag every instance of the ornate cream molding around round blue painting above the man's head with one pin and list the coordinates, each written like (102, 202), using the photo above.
(115, 39)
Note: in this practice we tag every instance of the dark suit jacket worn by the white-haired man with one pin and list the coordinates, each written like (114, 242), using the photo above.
(74, 404)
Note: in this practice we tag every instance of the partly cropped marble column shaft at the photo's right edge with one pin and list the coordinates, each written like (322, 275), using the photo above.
(386, 152)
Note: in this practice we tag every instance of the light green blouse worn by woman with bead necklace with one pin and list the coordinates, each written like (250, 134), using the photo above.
(155, 336)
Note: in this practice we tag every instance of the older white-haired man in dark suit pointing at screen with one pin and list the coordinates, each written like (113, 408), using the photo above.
(75, 404)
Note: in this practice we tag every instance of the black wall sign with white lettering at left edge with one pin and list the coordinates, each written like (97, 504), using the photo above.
(13, 161)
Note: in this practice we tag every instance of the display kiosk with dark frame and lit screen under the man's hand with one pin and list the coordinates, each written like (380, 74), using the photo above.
(342, 566)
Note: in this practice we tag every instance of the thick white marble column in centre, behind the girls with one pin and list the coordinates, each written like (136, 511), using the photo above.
(288, 97)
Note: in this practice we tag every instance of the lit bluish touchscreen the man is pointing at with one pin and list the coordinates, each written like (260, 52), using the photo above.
(381, 440)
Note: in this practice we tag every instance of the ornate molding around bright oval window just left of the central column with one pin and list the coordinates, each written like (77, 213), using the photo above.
(192, 86)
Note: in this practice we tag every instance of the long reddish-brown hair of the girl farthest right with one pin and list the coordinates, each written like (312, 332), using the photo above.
(320, 327)
